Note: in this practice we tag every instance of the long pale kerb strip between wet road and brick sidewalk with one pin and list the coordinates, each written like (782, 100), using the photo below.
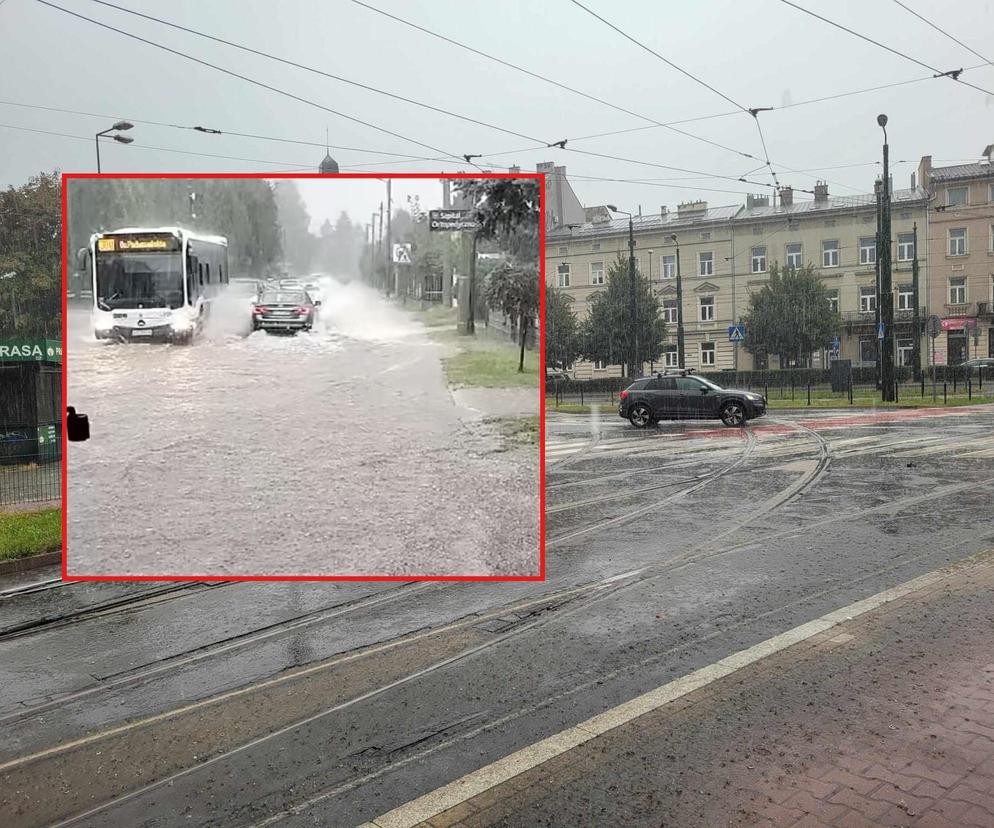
(490, 776)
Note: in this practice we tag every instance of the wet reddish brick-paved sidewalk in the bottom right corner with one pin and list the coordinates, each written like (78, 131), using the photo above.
(885, 720)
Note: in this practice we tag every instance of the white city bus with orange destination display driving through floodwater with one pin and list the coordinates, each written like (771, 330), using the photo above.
(153, 283)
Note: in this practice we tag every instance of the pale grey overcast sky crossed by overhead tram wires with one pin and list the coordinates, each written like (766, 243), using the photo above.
(758, 53)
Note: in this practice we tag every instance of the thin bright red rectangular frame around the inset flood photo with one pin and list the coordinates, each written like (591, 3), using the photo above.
(67, 177)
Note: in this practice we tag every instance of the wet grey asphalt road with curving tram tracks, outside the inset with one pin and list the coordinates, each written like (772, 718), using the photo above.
(344, 701)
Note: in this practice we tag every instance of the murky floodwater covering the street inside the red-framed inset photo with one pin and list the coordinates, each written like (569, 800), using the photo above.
(334, 452)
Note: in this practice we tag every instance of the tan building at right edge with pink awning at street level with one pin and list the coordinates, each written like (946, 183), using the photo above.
(961, 257)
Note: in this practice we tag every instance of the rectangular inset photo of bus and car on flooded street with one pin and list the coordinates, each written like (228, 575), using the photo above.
(303, 377)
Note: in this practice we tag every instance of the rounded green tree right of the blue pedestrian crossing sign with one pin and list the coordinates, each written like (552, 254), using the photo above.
(790, 316)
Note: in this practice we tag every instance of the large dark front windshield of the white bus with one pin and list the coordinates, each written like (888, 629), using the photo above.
(139, 280)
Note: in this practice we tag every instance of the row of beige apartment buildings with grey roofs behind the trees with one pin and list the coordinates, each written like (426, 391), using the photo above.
(725, 255)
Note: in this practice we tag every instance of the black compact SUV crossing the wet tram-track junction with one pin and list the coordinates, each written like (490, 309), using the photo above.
(680, 395)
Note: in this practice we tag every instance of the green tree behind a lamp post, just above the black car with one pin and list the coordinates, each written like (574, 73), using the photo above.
(609, 333)
